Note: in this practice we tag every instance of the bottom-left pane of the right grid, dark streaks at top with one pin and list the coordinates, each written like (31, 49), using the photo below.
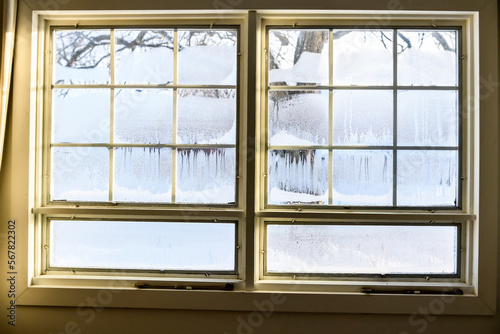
(298, 177)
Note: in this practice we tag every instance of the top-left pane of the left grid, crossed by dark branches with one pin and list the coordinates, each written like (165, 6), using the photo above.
(82, 57)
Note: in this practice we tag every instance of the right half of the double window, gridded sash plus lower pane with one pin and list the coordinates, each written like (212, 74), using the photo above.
(362, 118)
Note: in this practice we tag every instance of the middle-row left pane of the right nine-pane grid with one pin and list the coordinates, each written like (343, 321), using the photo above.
(298, 117)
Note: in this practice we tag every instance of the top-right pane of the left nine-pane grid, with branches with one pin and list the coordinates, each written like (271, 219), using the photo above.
(207, 57)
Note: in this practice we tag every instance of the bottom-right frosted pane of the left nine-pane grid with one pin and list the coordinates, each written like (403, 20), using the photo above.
(206, 175)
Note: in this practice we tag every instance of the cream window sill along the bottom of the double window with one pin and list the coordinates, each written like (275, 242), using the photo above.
(253, 301)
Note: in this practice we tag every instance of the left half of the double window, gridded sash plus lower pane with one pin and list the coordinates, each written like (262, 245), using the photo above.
(142, 118)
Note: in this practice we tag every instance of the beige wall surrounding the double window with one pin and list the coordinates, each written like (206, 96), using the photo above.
(14, 193)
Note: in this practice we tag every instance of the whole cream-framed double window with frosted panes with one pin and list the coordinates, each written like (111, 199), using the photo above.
(356, 168)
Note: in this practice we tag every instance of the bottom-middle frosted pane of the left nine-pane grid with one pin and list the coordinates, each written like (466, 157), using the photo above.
(143, 174)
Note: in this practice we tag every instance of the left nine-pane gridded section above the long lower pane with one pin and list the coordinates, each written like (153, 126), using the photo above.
(144, 116)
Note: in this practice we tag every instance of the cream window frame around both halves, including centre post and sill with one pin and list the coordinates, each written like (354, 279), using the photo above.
(251, 289)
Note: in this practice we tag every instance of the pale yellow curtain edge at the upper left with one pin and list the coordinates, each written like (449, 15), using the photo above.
(8, 32)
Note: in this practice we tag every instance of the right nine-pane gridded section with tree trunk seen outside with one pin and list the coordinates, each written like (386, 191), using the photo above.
(352, 123)
